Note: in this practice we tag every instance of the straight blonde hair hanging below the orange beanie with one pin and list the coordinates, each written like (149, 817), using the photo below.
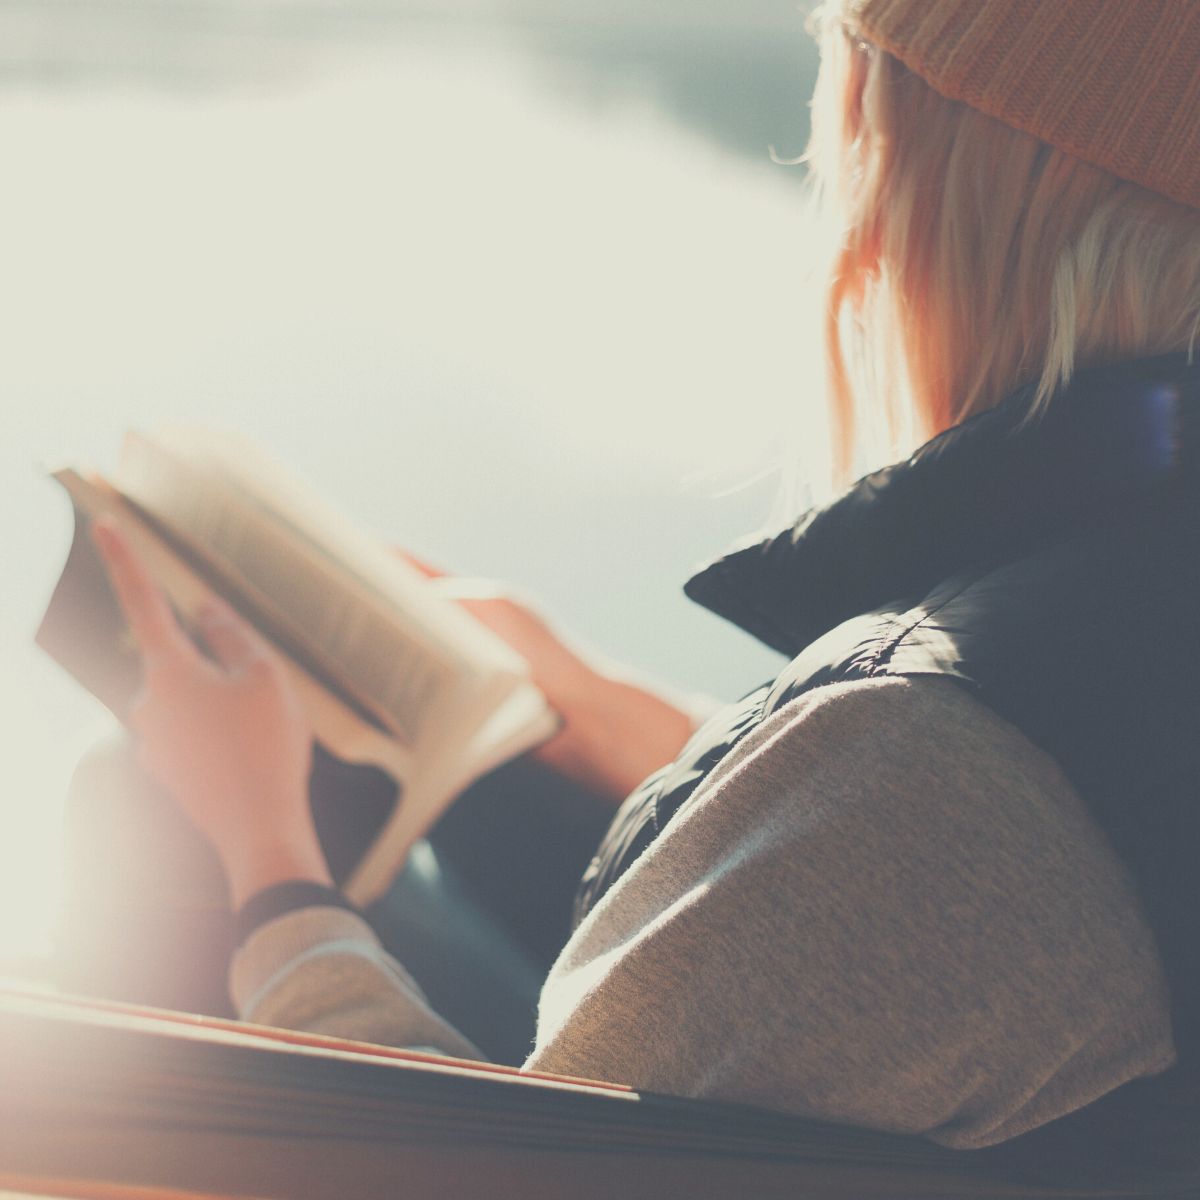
(968, 259)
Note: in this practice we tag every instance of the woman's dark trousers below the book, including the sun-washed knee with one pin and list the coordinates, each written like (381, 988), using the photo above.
(477, 916)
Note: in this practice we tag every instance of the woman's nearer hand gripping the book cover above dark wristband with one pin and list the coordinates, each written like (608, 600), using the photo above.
(225, 736)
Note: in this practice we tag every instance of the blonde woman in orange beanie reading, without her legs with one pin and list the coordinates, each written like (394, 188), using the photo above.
(937, 877)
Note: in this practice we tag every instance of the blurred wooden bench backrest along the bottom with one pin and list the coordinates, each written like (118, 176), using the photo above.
(106, 1101)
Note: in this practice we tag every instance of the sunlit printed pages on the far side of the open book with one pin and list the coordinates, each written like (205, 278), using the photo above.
(419, 664)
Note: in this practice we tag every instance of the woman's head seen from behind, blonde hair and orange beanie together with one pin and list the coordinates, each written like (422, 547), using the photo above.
(1015, 195)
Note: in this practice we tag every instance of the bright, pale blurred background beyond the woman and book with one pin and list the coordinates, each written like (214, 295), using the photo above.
(518, 283)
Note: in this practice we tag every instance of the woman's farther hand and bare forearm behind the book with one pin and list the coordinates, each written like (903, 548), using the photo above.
(615, 733)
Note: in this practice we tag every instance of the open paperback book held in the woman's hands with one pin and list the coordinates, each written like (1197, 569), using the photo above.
(409, 697)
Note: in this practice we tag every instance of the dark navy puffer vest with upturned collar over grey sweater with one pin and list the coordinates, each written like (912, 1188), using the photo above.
(1051, 566)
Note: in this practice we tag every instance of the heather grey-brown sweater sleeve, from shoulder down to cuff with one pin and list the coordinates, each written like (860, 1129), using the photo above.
(885, 907)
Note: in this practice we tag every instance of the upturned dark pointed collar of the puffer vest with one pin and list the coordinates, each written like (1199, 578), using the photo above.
(1119, 439)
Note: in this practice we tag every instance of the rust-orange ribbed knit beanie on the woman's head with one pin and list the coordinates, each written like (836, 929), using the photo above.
(1113, 82)
